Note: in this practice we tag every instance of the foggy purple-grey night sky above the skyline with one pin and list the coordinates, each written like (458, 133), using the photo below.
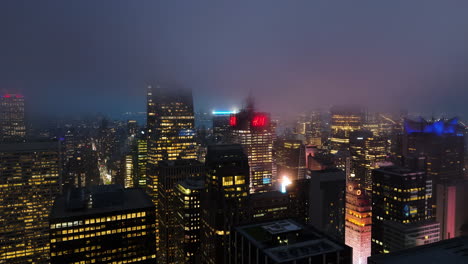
(98, 56)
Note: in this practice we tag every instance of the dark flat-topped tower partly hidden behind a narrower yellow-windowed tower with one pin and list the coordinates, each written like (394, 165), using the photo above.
(168, 174)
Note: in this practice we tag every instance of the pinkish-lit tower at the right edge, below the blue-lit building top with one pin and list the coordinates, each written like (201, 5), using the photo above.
(452, 207)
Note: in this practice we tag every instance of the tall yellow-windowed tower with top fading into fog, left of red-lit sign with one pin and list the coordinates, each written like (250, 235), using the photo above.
(170, 124)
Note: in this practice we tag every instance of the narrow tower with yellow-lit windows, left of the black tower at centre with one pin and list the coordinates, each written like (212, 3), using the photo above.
(187, 205)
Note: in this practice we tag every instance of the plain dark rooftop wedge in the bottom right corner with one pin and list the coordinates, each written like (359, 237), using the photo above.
(453, 251)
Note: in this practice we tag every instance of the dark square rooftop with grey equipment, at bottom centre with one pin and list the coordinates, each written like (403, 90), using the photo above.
(306, 242)
